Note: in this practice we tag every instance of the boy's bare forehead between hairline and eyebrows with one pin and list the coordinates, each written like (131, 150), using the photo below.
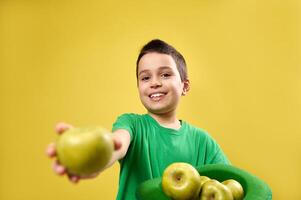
(154, 61)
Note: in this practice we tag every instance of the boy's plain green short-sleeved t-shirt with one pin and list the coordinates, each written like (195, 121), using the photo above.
(153, 148)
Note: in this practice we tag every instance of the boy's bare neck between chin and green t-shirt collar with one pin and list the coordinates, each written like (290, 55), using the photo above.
(168, 120)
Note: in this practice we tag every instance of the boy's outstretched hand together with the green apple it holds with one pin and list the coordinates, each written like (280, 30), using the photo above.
(71, 165)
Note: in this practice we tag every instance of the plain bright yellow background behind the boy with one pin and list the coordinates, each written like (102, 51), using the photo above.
(74, 61)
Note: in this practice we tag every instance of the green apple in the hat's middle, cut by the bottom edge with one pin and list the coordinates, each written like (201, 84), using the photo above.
(214, 190)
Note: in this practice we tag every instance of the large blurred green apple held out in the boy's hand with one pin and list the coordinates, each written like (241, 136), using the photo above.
(84, 151)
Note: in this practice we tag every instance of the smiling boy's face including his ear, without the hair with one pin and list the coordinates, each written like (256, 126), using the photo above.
(159, 83)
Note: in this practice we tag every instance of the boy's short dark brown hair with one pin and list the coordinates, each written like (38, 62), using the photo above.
(159, 46)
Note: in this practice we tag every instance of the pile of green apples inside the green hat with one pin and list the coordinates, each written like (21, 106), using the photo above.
(181, 181)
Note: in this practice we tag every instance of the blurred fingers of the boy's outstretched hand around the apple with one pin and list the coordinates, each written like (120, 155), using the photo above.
(59, 169)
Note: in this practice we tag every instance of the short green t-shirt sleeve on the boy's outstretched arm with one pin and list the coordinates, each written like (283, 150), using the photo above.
(127, 122)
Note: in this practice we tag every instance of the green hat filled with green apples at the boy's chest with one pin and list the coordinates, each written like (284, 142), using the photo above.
(182, 181)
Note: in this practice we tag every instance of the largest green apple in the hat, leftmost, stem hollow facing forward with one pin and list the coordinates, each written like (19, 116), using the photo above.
(181, 181)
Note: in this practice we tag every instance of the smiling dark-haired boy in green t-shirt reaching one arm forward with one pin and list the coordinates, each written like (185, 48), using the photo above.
(146, 144)
